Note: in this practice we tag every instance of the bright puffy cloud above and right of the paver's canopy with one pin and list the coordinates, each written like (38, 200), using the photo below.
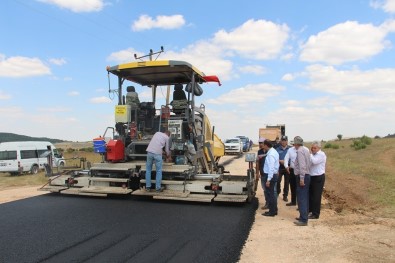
(256, 39)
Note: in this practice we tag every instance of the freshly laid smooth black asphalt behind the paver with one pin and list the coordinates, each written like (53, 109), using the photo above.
(58, 228)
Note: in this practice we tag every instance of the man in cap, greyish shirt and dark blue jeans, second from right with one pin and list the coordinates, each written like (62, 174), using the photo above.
(302, 169)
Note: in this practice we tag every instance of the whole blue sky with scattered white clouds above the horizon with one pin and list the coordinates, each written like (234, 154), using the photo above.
(321, 67)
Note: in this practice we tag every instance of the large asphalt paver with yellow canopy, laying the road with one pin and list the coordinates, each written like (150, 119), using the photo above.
(195, 173)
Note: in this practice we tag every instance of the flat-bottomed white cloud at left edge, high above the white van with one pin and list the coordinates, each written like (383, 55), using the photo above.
(20, 67)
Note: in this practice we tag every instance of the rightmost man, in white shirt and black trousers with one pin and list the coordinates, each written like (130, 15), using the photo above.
(317, 174)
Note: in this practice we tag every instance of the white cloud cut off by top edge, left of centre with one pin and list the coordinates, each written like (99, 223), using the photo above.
(77, 6)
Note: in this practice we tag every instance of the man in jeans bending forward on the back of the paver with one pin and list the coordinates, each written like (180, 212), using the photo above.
(159, 141)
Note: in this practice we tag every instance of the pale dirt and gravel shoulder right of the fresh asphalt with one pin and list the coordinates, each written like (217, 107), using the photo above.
(332, 238)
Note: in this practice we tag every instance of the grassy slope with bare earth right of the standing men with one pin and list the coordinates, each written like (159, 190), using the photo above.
(363, 178)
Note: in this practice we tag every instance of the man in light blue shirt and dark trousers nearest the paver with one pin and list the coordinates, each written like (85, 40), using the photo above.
(270, 171)
